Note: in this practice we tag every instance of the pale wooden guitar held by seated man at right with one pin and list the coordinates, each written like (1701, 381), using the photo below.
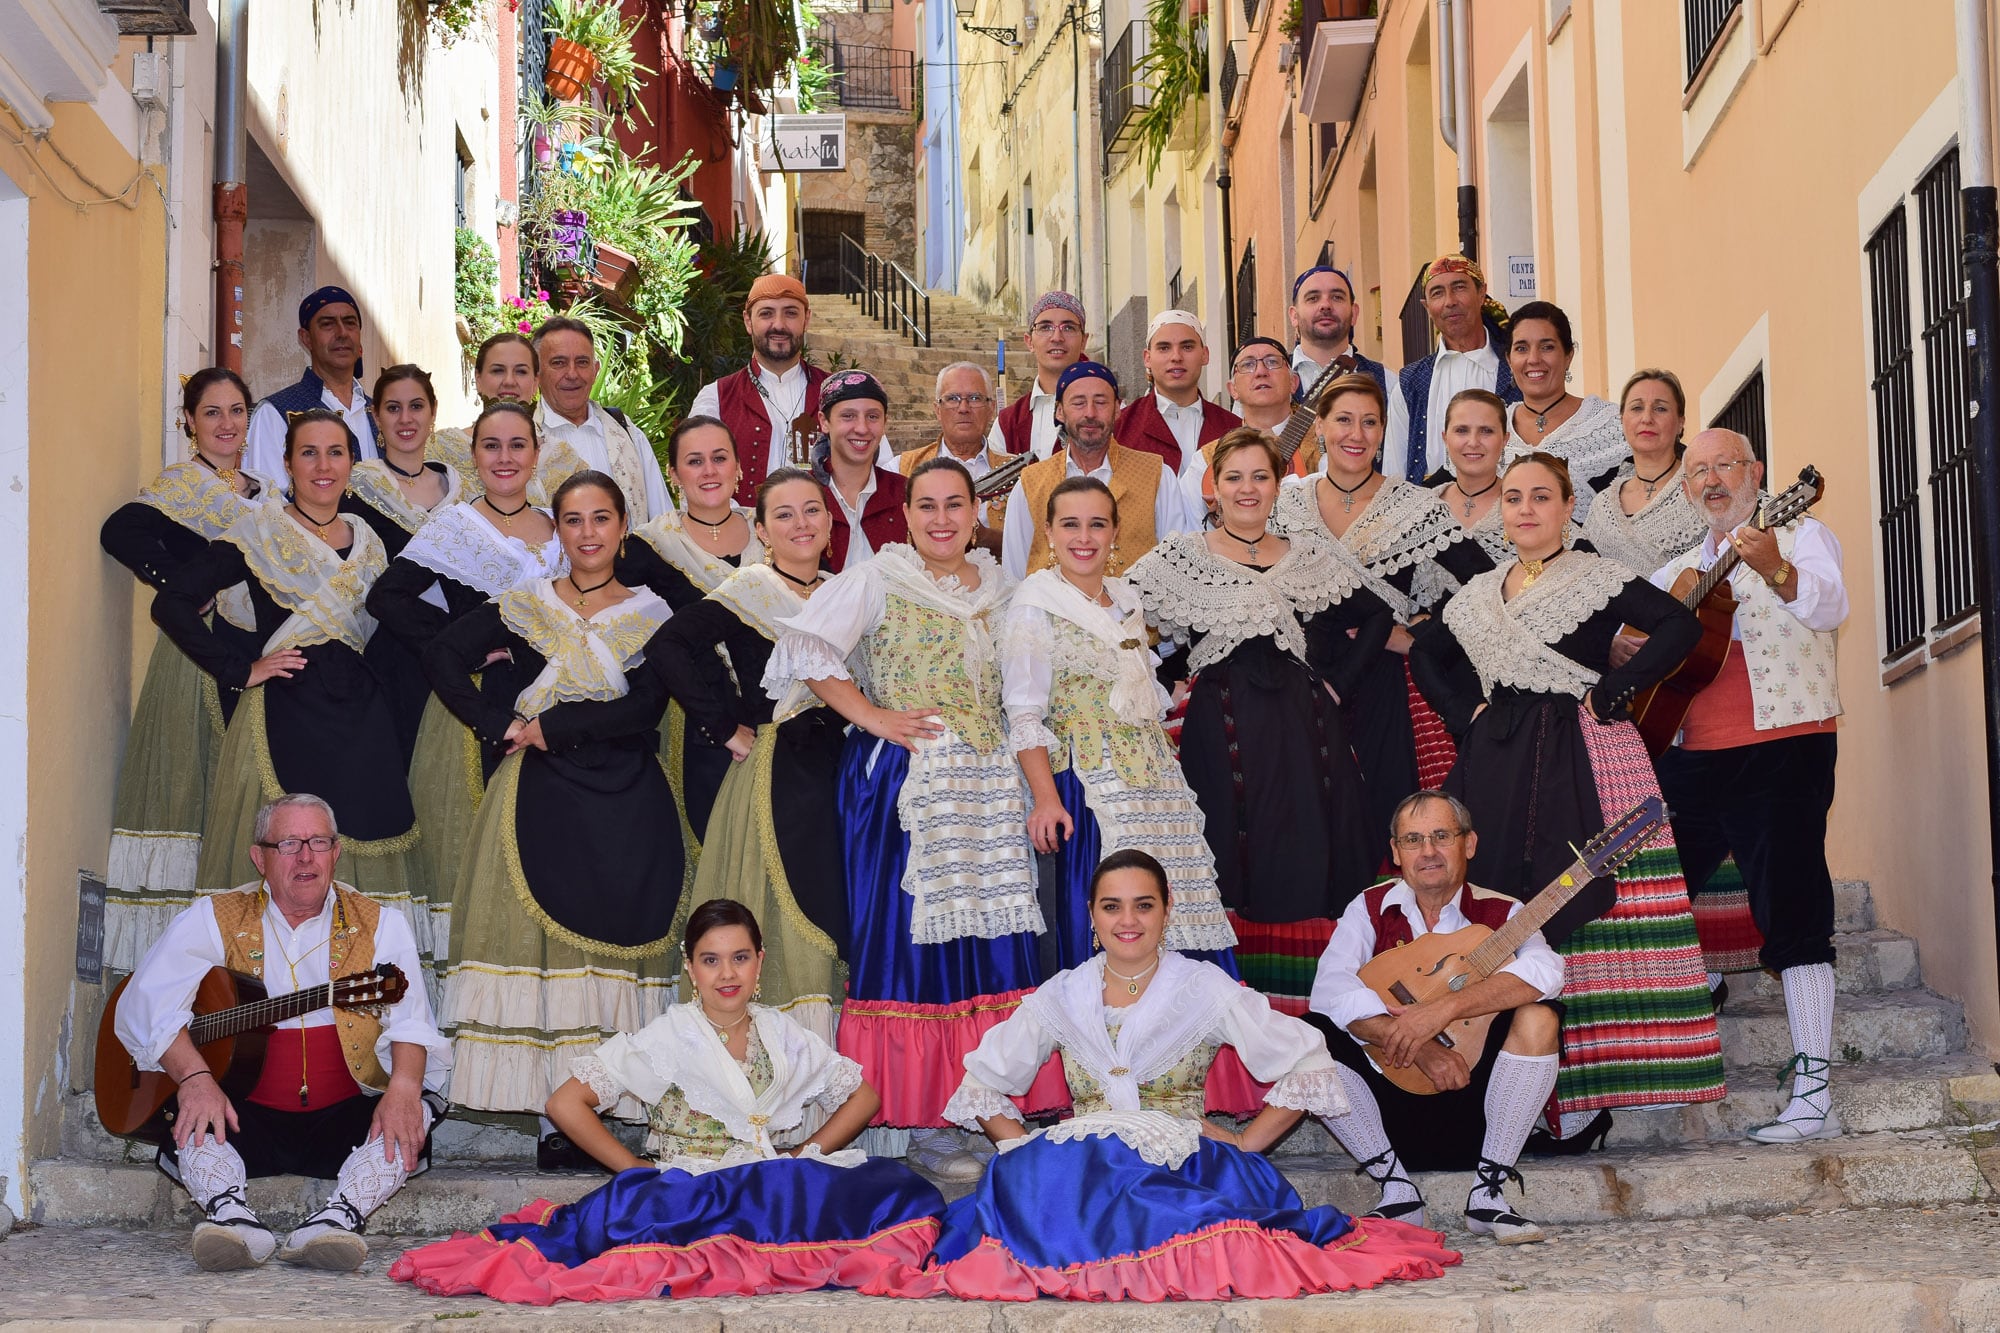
(1435, 966)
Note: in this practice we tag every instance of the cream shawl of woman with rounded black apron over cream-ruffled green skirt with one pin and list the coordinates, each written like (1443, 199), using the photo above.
(587, 655)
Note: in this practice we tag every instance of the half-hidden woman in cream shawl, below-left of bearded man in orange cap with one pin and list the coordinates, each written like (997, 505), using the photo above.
(685, 555)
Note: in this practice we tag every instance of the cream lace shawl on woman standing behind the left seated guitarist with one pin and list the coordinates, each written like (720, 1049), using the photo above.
(309, 577)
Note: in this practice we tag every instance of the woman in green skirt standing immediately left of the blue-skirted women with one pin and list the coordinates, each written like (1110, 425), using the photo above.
(775, 836)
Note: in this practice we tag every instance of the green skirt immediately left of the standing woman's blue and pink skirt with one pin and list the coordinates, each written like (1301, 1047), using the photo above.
(803, 972)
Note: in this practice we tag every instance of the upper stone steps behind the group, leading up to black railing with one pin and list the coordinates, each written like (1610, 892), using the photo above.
(959, 331)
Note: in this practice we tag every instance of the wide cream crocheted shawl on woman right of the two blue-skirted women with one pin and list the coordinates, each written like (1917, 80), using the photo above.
(1191, 591)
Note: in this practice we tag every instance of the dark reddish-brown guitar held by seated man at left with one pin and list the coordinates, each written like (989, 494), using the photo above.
(233, 1016)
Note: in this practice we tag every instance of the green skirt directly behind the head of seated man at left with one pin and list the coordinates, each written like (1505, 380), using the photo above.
(385, 870)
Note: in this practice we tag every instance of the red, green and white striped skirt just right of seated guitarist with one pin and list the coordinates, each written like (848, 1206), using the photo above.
(1639, 1028)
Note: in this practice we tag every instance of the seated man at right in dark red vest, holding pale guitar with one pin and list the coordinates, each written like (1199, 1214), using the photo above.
(1489, 1100)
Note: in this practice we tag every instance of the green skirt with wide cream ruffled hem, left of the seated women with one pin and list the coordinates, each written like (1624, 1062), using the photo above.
(521, 1002)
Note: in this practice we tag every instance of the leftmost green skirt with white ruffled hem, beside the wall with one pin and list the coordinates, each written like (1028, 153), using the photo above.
(163, 804)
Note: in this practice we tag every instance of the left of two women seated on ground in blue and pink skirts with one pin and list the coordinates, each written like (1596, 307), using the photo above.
(733, 1196)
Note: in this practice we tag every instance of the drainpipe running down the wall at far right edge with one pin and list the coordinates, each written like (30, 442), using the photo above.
(1983, 361)
